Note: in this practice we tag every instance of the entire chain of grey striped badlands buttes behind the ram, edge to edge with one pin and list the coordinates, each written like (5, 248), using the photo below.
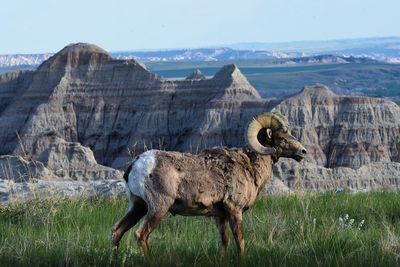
(82, 115)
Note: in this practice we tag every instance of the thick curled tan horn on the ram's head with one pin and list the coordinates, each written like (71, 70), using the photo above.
(267, 122)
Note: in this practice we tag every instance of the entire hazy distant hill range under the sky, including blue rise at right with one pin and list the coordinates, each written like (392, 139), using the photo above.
(310, 52)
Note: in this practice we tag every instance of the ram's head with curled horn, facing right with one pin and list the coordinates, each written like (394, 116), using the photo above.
(269, 134)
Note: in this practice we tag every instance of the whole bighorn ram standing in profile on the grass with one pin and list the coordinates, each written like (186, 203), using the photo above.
(217, 182)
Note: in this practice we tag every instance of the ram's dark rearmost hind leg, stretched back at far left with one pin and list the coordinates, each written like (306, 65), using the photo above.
(134, 214)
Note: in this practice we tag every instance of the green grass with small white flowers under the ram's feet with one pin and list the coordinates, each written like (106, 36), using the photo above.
(297, 230)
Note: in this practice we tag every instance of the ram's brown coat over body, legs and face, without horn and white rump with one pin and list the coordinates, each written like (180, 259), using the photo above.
(217, 182)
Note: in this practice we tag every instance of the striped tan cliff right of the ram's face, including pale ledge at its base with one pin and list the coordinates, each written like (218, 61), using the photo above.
(352, 141)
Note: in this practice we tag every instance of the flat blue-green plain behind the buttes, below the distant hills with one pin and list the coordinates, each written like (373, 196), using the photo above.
(381, 80)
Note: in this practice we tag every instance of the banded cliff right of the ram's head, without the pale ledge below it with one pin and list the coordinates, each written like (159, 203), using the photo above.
(346, 131)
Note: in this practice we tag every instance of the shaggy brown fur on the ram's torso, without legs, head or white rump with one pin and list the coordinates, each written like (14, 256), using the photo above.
(211, 182)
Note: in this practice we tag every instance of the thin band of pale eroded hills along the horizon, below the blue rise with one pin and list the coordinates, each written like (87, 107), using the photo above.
(11, 62)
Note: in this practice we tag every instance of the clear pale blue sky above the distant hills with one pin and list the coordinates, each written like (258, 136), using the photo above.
(33, 26)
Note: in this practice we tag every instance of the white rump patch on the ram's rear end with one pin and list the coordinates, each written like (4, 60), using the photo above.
(141, 169)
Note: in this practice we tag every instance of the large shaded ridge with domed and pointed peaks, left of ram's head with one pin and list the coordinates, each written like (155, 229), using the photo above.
(112, 106)
